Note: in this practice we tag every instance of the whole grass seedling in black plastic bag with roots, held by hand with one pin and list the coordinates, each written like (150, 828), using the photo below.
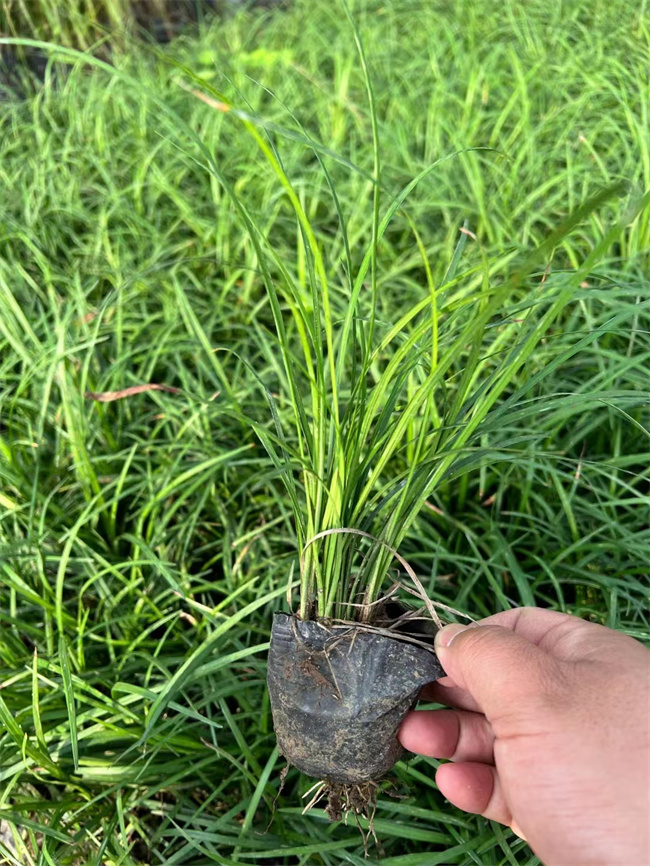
(369, 419)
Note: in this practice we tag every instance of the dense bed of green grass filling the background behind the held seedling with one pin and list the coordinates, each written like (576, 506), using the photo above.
(145, 542)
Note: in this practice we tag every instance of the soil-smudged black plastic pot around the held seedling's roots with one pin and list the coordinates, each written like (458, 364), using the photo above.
(339, 695)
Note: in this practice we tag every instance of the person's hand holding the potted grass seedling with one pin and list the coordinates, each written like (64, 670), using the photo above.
(549, 733)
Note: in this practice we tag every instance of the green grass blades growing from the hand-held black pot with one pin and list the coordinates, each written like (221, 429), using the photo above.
(372, 431)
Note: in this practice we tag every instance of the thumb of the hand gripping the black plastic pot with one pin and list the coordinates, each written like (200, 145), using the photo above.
(501, 670)
